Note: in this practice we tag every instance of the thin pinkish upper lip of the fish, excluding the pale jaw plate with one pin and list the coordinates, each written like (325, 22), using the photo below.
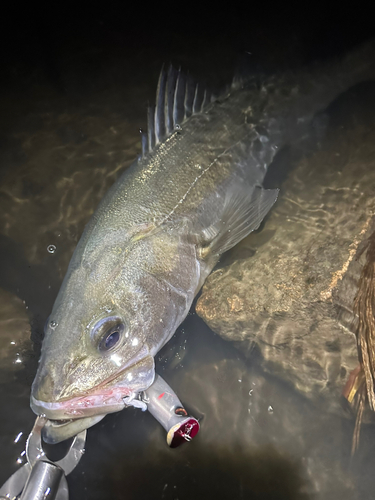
(109, 400)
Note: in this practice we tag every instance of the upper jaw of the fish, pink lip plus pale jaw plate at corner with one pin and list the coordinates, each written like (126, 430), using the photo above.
(103, 399)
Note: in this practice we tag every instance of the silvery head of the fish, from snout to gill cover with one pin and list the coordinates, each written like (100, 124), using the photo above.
(100, 341)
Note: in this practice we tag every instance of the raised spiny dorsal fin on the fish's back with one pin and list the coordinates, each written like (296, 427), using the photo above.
(177, 98)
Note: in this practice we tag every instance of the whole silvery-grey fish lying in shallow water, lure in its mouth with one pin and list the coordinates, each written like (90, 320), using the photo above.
(194, 193)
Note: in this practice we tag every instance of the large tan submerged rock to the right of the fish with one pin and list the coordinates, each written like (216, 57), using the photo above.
(290, 288)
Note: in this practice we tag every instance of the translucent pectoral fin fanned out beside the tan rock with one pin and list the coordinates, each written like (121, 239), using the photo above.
(243, 212)
